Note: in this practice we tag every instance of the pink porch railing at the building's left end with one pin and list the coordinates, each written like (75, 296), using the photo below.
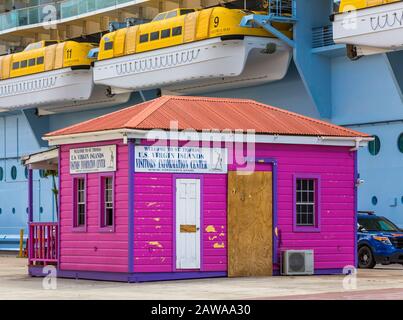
(43, 243)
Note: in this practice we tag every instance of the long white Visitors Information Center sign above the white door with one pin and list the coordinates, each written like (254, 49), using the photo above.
(180, 159)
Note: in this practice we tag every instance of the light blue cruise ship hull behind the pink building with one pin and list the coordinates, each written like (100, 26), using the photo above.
(322, 82)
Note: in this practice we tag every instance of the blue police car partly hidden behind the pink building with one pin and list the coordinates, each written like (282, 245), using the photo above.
(379, 241)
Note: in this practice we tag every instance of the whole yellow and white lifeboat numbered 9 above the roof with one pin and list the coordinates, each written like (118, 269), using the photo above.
(189, 51)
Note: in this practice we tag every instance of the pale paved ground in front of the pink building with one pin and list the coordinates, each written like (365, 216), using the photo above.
(380, 283)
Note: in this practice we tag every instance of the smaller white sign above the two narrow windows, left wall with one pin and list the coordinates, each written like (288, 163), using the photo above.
(93, 159)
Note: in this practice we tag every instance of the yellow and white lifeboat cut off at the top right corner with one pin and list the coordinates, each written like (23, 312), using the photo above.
(369, 26)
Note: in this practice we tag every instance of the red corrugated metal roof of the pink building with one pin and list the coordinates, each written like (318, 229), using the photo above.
(202, 113)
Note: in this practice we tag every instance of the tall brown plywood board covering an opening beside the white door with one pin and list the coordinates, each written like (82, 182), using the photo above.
(250, 224)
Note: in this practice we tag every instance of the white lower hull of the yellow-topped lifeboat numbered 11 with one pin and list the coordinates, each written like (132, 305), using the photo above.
(56, 91)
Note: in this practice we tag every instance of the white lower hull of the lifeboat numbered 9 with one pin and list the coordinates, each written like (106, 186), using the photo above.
(209, 65)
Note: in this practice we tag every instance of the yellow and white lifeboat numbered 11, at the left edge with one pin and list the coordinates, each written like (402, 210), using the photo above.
(47, 73)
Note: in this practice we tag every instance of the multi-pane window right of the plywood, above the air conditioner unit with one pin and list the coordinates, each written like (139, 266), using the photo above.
(306, 202)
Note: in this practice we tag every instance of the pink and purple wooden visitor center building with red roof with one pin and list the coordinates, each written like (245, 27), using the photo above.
(144, 198)
